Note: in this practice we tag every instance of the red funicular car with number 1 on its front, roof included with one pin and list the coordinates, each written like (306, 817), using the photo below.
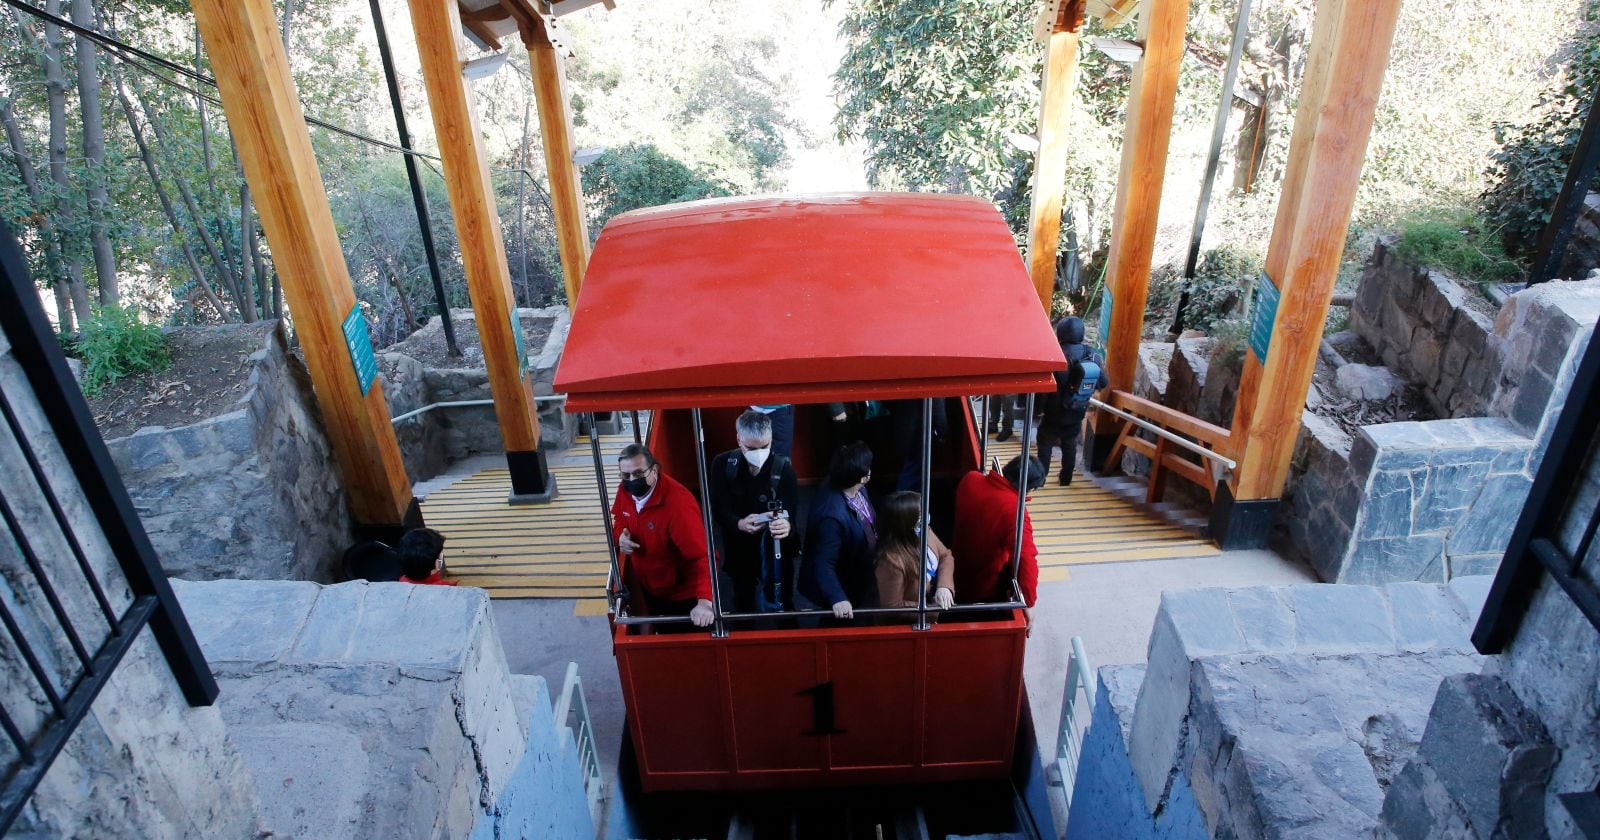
(703, 310)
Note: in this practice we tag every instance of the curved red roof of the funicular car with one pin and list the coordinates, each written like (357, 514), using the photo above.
(801, 300)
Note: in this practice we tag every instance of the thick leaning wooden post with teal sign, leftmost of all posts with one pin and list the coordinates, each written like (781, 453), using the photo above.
(274, 150)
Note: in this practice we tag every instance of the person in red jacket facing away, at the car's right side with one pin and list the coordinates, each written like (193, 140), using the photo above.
(986, 534)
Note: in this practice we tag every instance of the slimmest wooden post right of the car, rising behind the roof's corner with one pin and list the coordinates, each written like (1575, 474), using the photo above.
(1050, 162)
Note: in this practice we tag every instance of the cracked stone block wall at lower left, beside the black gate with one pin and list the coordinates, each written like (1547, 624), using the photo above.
(385, 711)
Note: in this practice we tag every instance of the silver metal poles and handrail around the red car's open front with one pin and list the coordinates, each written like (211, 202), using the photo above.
(617, 590)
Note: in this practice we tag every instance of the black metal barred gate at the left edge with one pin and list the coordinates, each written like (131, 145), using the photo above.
(94, 628)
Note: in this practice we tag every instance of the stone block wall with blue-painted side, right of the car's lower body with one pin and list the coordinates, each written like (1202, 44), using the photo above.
(1276, 711)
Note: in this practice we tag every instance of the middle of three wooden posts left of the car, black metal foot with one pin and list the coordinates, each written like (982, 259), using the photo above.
(482, 244)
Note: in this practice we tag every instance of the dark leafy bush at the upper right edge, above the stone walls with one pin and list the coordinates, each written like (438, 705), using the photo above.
(1529, 170)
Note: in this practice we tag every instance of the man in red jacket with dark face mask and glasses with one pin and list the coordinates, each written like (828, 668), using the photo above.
(660, 530)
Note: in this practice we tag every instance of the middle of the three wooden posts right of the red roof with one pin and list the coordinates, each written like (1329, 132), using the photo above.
(1146, 135)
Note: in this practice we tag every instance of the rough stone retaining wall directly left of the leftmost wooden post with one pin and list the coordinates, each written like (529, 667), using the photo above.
(252, 494)
